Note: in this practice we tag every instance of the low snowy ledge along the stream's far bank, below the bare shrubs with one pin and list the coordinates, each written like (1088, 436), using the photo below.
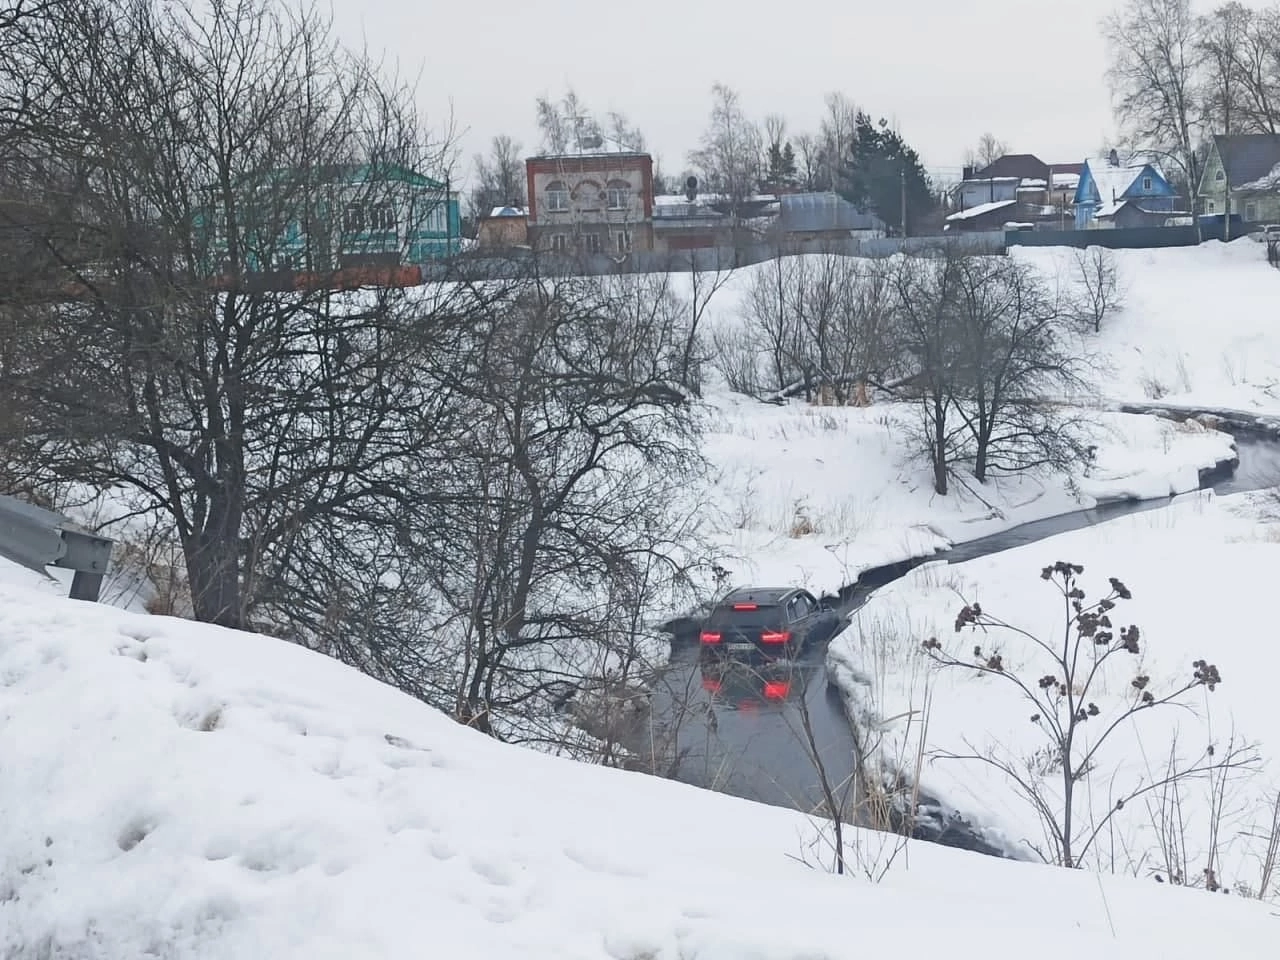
(816, 496)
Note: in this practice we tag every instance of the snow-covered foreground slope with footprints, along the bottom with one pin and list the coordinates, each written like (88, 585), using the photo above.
(190, 793)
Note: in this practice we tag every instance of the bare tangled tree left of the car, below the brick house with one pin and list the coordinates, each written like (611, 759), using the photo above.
(565, 522)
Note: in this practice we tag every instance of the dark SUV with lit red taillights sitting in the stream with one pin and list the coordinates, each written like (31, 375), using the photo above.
(774, 624)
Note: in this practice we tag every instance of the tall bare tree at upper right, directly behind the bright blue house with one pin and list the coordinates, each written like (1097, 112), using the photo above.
(1155, 76)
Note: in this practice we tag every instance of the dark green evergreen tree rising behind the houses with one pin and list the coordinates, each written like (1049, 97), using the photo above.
(879, 168)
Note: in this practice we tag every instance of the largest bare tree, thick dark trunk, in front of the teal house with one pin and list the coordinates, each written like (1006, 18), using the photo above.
(198, 152)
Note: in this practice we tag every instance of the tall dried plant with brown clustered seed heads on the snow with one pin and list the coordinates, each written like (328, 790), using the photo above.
(1060, 687)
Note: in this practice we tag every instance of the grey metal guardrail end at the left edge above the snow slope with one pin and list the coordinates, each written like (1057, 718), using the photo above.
(39, 538)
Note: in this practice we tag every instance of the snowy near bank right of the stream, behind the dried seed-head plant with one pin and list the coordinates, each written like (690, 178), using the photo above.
(1201, 574)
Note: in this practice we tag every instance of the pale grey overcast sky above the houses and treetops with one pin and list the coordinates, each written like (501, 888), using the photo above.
(945, 71)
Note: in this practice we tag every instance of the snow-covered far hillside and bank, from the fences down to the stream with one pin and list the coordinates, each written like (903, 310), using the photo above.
(817, 495)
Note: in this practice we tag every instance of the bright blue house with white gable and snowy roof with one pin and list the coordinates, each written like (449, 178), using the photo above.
(1114, 194)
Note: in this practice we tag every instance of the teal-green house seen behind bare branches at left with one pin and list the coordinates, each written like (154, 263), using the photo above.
(330, 218)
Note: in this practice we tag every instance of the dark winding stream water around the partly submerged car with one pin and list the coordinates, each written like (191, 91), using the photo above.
(743, 734)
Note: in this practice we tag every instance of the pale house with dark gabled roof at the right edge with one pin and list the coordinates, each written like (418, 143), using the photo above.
(1244, 171)
